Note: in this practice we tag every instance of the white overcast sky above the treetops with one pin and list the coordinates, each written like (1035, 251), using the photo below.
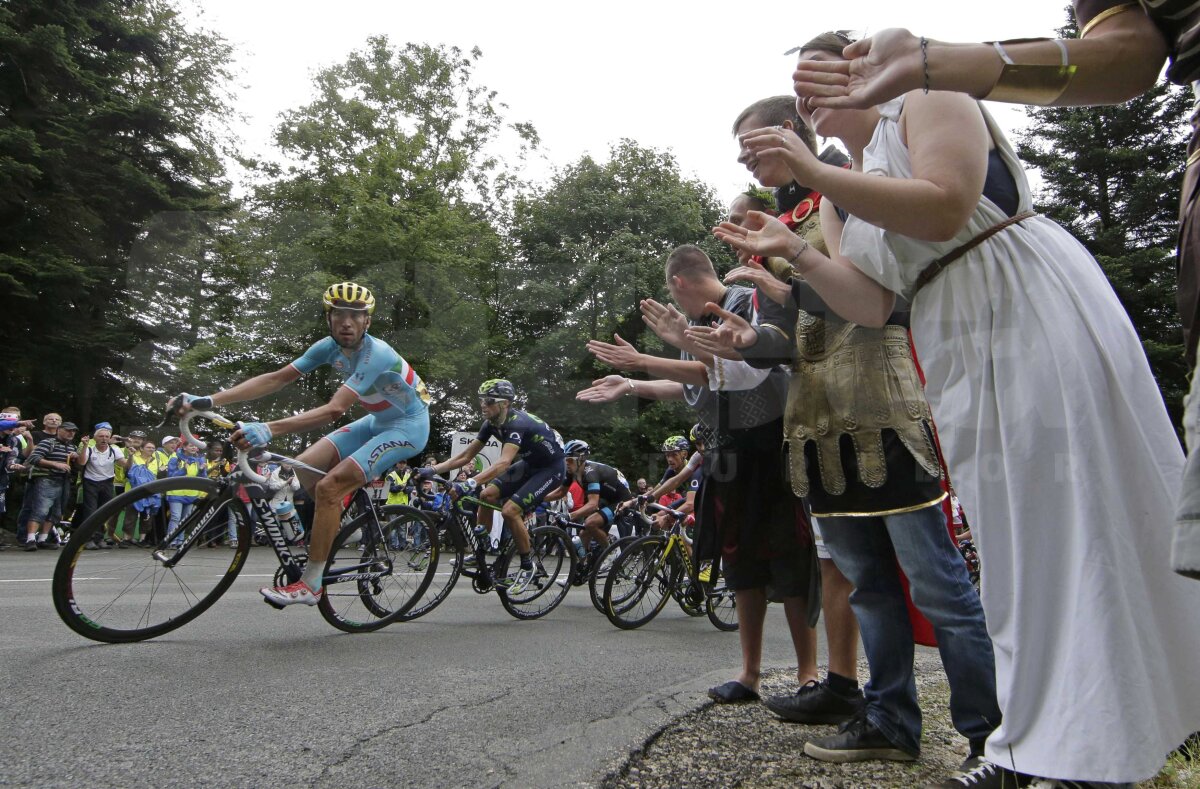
(668, 75)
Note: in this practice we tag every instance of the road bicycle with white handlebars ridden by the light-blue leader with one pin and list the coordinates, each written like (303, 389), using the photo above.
(153, 589)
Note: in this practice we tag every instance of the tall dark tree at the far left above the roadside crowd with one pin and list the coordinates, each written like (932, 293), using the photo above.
(110, 116)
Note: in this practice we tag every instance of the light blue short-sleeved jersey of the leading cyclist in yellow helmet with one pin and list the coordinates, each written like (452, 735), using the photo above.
(387, 386)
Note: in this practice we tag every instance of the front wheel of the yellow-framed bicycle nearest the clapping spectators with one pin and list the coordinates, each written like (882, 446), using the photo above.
(639, 585)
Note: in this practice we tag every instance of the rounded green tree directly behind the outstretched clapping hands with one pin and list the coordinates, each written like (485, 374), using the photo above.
(592, 245)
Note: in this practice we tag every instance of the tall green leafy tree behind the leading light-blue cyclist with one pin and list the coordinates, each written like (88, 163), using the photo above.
(394, 182)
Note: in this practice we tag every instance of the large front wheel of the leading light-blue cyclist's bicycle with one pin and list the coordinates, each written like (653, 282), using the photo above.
(151, 588)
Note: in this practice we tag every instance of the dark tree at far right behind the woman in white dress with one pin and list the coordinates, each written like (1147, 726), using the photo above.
(1113, 177)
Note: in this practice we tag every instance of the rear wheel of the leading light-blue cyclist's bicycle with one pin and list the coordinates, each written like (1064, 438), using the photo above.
(373, 577)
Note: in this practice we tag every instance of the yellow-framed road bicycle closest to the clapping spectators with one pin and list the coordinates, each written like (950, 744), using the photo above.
(658, 568)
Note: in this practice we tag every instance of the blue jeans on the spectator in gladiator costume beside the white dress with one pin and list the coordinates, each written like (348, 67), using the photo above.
(866, 550)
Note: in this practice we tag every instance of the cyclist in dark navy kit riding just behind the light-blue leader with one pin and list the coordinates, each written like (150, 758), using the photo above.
(530, 469)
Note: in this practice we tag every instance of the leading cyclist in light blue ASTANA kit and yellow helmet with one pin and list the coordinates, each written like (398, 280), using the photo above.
(397, 427)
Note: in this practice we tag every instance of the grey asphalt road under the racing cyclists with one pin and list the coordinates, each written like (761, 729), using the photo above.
(251, 697)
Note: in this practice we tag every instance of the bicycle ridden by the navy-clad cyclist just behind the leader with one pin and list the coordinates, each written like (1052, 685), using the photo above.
(465, 549)
